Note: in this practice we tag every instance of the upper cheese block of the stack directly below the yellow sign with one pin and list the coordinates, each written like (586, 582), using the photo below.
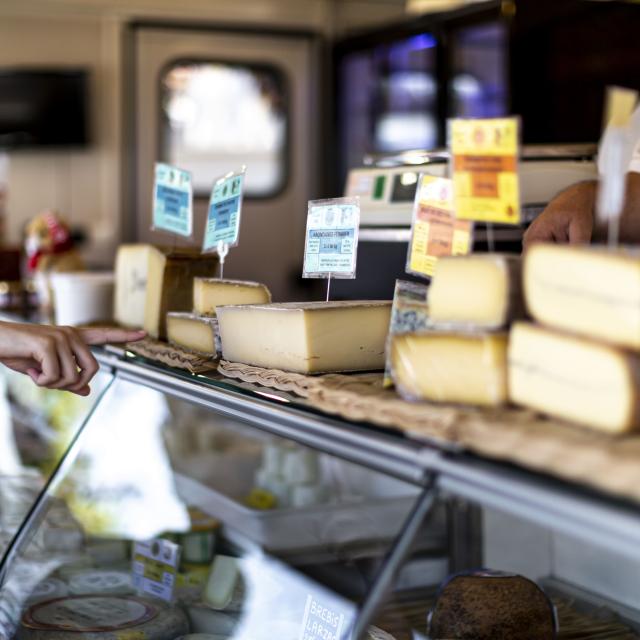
(480, 290)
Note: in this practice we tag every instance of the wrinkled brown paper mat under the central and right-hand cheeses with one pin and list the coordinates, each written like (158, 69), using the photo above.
(607, 463)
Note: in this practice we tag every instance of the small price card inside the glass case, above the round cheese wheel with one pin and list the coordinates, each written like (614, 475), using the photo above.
(155, 567)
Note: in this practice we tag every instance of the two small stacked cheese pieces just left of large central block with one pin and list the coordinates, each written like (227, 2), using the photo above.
(198, 330)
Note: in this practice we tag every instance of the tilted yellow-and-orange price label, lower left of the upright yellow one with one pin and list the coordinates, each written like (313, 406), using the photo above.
(435, 230)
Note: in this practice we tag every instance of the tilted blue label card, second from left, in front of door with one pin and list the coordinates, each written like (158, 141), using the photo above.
(223, 218)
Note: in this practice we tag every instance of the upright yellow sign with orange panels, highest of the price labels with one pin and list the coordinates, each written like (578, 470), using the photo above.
(484, 166)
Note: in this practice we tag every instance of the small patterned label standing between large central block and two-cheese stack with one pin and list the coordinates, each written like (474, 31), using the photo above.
(409, 314)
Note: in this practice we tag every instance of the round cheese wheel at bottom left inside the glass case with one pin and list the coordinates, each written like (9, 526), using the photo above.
(102, 618)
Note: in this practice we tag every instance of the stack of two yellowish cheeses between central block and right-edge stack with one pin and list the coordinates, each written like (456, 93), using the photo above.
(472, 301)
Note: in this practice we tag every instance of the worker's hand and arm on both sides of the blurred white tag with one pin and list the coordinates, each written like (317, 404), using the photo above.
(570, 216)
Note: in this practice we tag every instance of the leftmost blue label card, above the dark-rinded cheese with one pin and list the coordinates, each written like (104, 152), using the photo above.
(172, 200)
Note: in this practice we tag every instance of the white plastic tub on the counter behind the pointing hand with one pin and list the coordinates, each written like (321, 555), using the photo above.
(82, 297)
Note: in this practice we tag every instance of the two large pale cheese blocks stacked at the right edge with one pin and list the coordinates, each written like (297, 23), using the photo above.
(582, 361)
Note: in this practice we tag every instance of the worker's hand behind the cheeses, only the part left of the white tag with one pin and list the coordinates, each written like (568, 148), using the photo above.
(569, 218)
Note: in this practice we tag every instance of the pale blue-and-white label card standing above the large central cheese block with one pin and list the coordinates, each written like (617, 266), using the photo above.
(331, 244)
